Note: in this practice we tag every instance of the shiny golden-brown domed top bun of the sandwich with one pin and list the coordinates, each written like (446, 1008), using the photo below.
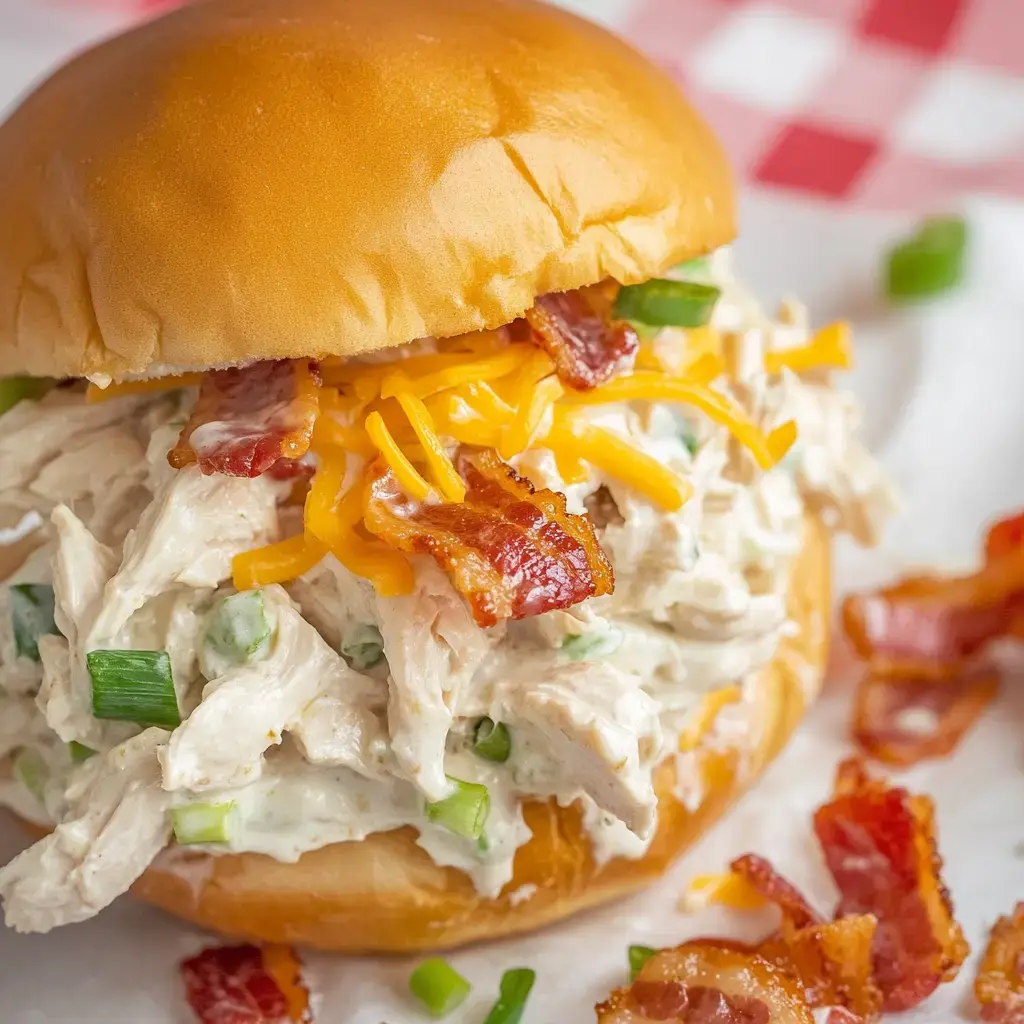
(249, 180)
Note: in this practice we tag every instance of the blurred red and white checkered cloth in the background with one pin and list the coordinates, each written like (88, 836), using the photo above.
(903, 105)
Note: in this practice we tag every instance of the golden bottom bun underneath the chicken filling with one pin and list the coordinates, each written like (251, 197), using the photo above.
(386, 894)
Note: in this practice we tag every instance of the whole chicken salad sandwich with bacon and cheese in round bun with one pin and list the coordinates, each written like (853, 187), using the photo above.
(423, 537)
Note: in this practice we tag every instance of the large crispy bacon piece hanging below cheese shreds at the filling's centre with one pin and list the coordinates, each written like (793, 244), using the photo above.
(511, 551)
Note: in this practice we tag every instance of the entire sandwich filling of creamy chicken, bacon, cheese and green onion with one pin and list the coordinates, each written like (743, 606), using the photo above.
(292, 605)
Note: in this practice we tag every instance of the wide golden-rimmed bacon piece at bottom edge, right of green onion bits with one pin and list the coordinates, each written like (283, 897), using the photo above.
(708, 983)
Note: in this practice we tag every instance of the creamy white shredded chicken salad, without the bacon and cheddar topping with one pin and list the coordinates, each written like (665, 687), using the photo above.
(319, 712)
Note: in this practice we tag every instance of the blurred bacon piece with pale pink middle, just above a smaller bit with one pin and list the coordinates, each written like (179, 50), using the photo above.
(928, 627)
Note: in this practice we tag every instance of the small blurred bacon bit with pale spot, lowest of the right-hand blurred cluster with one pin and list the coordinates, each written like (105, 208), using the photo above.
(905, 721)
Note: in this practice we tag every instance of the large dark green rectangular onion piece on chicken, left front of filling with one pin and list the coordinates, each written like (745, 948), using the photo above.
(134, 687)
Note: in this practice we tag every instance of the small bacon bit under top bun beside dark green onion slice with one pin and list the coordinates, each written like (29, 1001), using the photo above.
(588, 348)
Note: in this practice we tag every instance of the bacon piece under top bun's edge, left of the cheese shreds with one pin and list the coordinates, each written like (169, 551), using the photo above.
(249, 418)
